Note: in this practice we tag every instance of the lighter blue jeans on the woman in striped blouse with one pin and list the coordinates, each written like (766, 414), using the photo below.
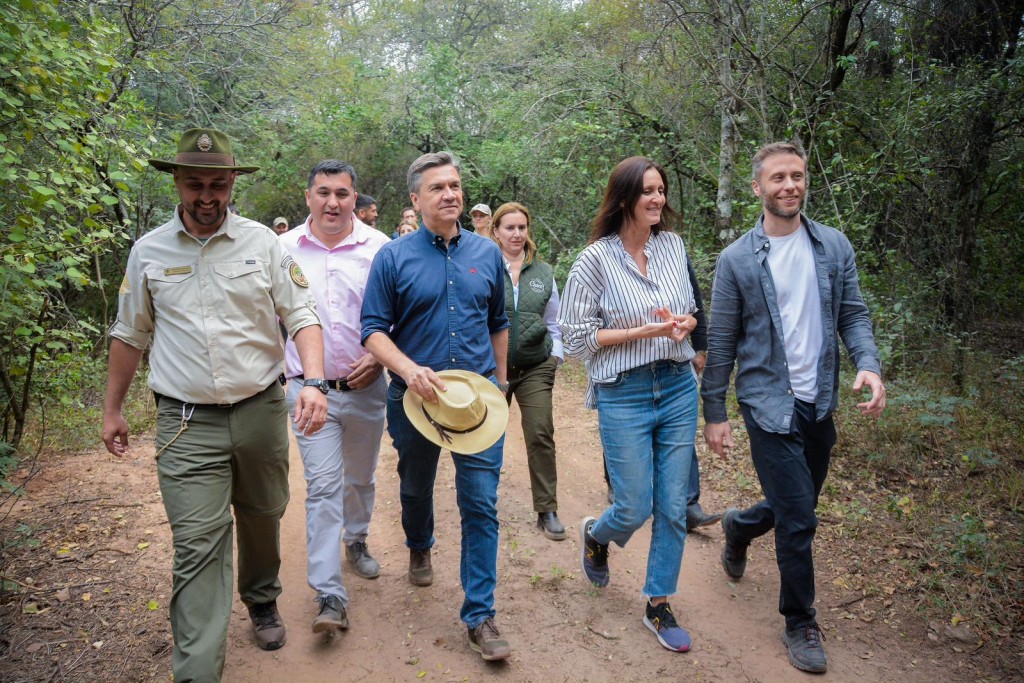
(649, 420)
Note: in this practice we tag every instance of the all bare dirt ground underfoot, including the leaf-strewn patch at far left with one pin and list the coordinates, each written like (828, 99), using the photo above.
(88, 602)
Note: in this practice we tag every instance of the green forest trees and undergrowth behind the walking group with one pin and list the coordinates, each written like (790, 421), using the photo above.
(911, 112)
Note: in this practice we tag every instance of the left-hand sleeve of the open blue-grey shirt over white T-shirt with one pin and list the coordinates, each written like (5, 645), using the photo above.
(723, 335)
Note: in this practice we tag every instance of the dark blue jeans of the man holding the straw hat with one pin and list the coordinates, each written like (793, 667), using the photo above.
(477, 491)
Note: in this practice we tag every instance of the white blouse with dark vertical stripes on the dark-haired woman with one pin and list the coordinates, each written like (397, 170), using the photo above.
(607, 291)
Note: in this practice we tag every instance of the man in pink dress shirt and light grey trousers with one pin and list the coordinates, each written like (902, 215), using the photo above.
(334, 249)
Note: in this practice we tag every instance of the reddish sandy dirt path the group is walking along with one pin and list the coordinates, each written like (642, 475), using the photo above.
(562, 629)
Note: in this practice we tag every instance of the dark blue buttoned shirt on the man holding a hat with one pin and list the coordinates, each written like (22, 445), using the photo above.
(439, 305)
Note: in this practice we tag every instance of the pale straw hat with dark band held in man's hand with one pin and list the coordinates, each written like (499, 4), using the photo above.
(470, 418)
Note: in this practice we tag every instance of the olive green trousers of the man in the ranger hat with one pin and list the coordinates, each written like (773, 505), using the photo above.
(228, 457)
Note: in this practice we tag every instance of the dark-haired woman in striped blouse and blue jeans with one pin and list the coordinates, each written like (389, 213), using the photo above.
(627, 314)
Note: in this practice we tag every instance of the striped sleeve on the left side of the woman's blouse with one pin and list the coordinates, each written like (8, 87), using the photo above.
(580, 310)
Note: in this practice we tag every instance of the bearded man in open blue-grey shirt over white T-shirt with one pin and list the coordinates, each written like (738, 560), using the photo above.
(784, 295)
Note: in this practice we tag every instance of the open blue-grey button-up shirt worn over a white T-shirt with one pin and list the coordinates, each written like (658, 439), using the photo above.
(746, 329)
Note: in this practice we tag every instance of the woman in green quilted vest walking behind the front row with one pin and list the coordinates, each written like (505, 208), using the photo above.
(535, 354)
